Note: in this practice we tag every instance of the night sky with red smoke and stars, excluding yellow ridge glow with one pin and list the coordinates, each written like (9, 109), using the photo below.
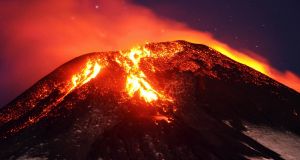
(38, 36)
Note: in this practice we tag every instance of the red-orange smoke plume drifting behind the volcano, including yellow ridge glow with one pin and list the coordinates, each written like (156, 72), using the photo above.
(42, 35)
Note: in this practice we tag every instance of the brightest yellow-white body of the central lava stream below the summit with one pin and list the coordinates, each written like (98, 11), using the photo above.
(136, 81)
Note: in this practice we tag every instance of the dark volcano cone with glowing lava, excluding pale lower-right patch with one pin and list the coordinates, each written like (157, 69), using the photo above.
(170, 100)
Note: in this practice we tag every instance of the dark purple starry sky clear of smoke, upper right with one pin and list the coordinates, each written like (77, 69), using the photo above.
(267, 27)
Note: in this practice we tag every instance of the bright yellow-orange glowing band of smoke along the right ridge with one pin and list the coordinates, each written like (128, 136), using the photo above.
(254, 61)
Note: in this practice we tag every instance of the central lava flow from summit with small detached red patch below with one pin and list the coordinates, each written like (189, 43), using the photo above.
(136, 80)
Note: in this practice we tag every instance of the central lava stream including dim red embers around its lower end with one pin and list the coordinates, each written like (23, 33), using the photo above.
(137, 83)
